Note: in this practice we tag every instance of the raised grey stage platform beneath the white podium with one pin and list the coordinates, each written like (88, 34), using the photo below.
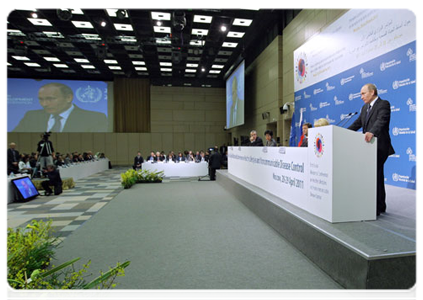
(372, 260)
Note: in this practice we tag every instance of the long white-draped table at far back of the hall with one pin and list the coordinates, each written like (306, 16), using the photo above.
(190, 169)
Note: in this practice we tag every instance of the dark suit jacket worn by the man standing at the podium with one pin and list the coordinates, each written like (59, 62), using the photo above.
(378, 124)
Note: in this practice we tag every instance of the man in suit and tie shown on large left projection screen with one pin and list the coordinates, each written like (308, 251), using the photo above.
(59, 114)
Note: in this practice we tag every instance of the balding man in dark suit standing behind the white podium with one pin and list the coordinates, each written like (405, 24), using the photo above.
(374, 119)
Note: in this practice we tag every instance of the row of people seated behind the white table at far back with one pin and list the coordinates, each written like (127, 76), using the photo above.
(171, 157)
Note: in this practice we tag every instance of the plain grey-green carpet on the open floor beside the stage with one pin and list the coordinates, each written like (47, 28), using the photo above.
(193, 240)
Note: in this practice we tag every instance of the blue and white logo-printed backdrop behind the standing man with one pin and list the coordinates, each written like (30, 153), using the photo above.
(379, 46)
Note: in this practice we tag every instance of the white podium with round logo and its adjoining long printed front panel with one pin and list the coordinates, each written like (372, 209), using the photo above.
(333, 178)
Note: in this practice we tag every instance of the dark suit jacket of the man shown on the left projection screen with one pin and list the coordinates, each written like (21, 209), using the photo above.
(80, 120)
